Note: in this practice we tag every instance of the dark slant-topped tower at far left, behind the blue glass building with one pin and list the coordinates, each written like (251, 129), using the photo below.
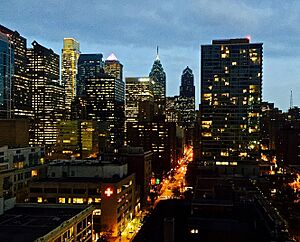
(20, 104)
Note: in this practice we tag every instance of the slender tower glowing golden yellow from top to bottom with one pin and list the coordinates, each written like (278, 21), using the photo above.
(69, 59)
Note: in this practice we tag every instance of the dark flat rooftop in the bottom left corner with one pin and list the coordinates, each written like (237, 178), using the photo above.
(27, 223)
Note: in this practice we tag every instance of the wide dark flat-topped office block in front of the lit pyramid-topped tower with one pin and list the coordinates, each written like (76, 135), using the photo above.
(105, 103)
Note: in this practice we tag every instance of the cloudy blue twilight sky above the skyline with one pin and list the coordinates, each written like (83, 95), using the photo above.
(132, 29)
